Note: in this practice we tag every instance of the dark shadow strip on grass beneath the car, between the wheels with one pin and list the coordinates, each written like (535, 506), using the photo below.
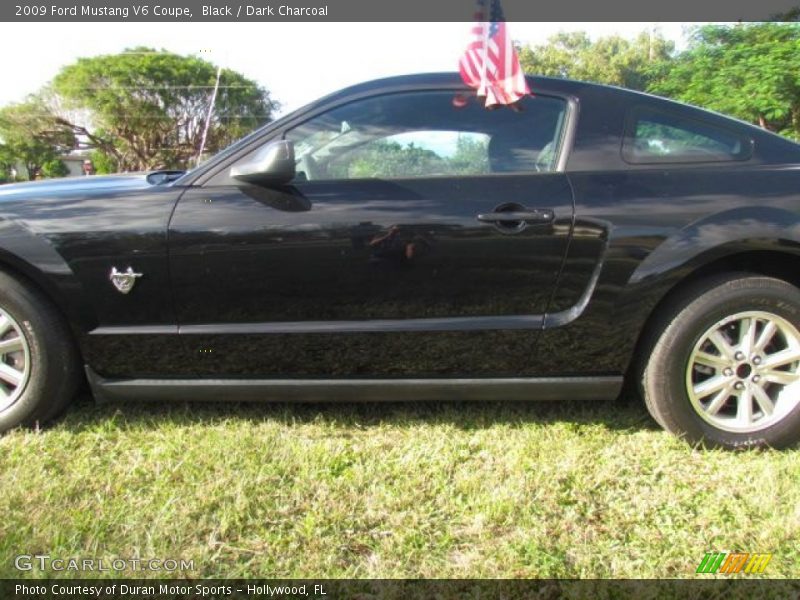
(623, 414)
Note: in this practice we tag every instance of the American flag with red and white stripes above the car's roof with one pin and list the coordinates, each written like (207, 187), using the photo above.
(490, 62)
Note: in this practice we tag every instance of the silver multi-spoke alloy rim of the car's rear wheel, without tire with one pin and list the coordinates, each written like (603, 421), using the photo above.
(744, 373)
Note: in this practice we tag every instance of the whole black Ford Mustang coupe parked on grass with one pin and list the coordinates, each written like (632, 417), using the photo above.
(396, 240)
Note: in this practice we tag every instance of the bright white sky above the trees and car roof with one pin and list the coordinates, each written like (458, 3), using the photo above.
(297, 62)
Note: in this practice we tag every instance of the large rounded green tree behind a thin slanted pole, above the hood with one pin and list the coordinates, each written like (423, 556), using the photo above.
(144, 109)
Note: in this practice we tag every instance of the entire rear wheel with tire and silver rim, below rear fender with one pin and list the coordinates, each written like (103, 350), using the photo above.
(725, 369)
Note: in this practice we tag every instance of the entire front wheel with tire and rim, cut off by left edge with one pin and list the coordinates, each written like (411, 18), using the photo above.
(39, 368)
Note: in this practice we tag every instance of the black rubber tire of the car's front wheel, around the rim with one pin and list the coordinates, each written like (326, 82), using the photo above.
(53, 365)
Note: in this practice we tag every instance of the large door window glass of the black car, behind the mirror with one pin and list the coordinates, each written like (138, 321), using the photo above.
(428, 134)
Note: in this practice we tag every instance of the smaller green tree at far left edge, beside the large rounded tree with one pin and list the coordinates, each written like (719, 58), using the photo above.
(33, 136)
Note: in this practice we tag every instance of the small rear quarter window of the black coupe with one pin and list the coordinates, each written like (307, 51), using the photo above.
(659, 137)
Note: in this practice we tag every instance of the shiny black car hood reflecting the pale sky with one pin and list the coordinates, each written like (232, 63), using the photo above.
(69, 186)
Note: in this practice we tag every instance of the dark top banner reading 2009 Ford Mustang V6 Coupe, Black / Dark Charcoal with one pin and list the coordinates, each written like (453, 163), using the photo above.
(393, 10)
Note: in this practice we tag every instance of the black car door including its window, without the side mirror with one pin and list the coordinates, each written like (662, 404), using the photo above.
(422, 234)
